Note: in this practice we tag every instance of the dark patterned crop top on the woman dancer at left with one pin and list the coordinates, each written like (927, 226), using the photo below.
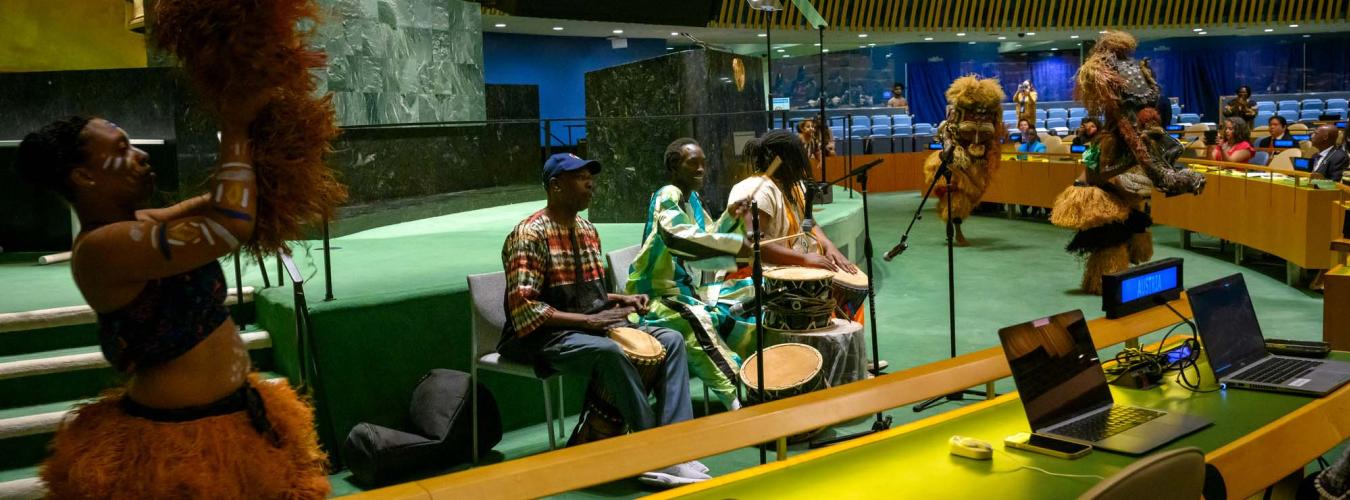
(169, 318)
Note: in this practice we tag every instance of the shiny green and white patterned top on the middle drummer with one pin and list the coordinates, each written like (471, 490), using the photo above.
(678, 243)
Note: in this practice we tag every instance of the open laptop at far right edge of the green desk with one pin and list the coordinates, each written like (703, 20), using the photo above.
(1232, 340)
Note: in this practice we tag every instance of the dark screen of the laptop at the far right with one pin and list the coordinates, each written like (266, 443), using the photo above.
(1229, 329)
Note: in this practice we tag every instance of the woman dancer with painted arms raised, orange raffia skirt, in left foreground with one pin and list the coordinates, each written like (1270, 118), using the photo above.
(192, 421)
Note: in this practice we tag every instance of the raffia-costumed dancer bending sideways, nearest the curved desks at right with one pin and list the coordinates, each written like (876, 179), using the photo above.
(1128, 159)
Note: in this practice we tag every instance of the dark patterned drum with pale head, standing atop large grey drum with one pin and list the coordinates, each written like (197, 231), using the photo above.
(799, 298)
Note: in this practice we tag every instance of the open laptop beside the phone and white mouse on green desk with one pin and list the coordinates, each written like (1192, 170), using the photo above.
(1066, 395)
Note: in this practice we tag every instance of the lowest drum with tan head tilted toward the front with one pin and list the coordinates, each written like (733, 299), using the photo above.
(790, 370)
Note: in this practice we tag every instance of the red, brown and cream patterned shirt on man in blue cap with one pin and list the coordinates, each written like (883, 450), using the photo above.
(550, 268)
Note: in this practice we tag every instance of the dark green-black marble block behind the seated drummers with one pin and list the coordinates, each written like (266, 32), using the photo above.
(627, 134)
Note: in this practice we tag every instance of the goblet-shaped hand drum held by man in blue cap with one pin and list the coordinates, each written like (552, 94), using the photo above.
(600, 418)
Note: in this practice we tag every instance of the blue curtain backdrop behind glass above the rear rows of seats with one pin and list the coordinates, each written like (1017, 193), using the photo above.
(1195, 70)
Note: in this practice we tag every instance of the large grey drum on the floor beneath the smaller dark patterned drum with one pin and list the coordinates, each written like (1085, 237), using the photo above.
(842, 345)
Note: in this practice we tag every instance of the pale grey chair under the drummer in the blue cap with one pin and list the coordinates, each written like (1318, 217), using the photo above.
(489, 316)
